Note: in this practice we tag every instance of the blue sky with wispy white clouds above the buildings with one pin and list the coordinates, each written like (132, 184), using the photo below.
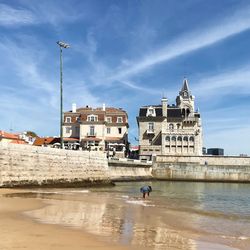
(127, 54)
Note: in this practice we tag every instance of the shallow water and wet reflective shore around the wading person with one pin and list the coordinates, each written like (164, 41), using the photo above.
(176, 215)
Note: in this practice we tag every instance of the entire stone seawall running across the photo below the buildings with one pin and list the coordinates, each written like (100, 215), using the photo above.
(24, 165)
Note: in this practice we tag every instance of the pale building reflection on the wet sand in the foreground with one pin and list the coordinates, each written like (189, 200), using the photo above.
(114, 220)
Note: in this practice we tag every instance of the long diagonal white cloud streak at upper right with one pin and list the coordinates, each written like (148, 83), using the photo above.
(235, 24)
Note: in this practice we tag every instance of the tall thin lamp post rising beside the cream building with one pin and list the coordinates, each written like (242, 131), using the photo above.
(65, 46)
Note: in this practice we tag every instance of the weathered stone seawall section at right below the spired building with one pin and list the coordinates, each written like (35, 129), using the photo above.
(202, 168)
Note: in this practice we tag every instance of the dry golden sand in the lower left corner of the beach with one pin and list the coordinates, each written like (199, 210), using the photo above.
(20, 232)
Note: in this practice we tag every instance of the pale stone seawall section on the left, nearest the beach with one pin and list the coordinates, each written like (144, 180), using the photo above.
(25, 165)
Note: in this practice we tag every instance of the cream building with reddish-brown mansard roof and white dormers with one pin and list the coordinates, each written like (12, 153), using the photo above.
(100, 129)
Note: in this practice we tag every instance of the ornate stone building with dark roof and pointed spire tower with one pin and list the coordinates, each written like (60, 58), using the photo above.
(170, 129)
